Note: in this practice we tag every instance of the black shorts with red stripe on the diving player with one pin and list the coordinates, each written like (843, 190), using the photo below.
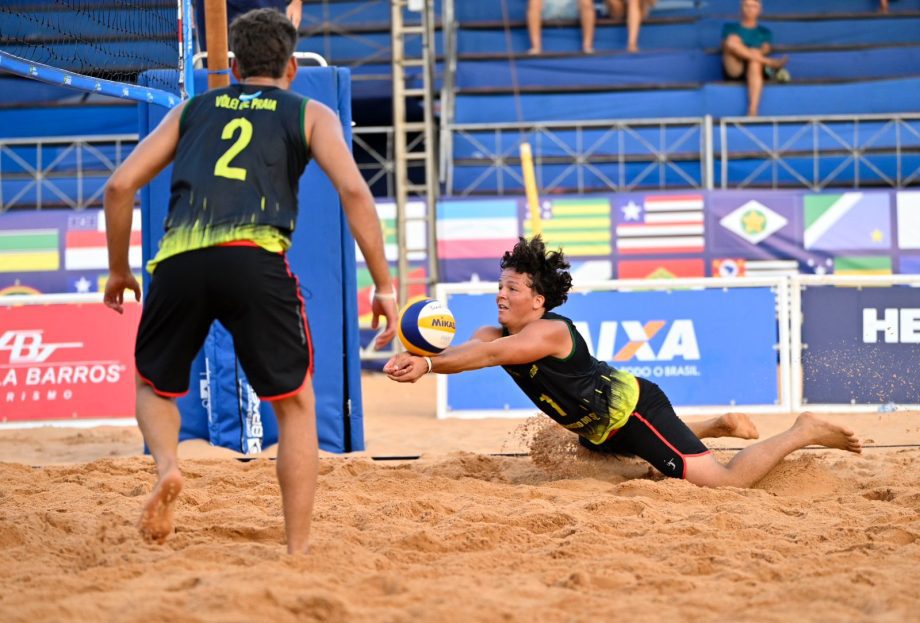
(655, 433)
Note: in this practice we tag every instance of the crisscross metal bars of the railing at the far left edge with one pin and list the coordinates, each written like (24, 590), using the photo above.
(42, 174)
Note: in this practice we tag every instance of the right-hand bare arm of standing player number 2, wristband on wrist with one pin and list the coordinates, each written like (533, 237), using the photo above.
(324, 134)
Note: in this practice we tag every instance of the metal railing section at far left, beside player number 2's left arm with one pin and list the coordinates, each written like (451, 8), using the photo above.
(59, 172)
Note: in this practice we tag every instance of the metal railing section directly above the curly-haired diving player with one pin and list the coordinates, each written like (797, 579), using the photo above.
(582, 156)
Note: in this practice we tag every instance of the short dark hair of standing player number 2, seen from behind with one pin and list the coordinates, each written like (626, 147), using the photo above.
(262, 41)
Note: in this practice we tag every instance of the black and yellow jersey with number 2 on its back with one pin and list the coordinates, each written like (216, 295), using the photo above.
(236, 173)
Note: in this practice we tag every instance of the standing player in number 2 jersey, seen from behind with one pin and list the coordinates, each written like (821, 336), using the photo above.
(238, 156)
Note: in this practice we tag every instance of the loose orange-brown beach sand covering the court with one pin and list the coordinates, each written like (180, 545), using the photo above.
(470, 531)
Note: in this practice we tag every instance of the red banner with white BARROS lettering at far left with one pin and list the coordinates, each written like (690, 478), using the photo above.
(66, 361)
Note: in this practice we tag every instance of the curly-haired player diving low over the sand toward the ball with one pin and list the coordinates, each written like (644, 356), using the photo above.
(611, 410)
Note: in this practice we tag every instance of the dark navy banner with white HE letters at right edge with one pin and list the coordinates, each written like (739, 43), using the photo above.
(869, 354)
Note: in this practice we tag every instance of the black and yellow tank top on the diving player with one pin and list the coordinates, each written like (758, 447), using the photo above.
(579, 392)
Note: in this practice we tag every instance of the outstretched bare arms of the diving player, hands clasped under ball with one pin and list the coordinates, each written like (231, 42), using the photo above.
(539, 339)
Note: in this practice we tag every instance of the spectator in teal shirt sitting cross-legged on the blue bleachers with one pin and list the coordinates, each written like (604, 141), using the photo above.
(745, 54)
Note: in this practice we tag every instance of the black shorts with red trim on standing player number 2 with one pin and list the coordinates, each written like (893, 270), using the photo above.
(254, 295)
